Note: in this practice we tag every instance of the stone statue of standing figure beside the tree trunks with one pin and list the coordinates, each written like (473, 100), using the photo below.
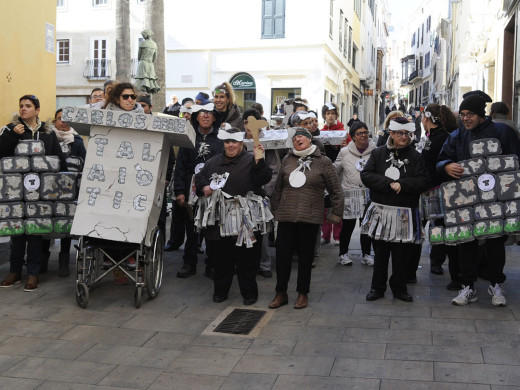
(145, 78)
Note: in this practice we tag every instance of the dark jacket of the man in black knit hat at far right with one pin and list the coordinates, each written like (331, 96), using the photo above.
(456, 146)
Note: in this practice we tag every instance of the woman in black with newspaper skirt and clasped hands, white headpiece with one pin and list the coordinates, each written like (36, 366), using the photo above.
(396, 176)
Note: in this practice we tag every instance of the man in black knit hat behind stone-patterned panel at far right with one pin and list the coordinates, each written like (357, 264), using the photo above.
(475, 125)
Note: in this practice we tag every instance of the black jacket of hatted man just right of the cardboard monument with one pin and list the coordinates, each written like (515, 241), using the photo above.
(189, 158)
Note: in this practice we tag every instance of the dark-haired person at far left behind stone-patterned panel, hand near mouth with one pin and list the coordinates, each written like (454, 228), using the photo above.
(26, 126)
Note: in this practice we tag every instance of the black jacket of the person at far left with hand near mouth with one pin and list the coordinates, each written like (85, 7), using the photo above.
(9, 139)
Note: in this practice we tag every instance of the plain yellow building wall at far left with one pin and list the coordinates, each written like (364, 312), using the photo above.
(28, 64)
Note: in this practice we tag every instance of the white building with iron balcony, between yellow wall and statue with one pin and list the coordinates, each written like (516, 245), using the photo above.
(86, 45)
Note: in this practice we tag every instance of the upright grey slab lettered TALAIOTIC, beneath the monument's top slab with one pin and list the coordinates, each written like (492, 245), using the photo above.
(122, 187)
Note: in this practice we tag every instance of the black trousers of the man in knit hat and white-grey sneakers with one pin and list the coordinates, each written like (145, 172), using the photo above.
(469, 261)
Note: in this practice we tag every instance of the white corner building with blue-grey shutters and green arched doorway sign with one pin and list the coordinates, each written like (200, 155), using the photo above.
(283, 48)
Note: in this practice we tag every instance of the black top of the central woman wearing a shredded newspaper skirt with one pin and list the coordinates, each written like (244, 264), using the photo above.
(244, 173)
